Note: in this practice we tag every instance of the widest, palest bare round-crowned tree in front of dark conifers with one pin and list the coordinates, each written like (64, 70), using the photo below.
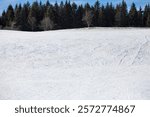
(47, 24)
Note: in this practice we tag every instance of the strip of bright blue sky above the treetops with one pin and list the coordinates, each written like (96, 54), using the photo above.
(4, 3)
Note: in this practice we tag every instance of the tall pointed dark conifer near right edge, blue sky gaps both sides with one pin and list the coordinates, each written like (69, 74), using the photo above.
(133, 16)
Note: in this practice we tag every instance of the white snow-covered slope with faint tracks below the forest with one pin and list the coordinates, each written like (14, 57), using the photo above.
(98, 63)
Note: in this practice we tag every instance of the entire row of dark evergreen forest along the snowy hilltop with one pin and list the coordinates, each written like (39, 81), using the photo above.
(65, 15)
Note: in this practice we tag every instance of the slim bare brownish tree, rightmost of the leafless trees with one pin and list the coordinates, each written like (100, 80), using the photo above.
(88, 17)
